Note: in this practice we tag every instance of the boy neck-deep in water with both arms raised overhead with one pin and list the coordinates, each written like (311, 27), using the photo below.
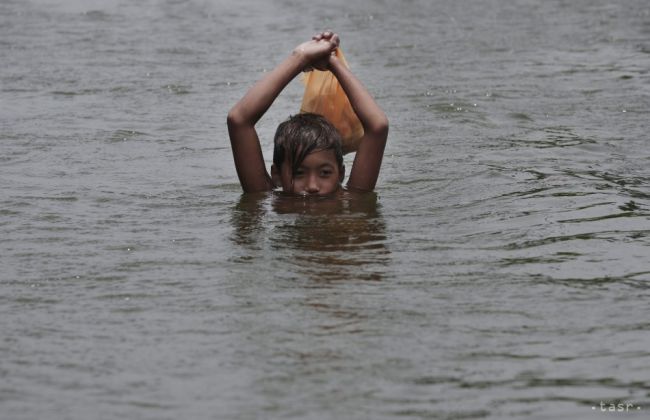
(307, 156)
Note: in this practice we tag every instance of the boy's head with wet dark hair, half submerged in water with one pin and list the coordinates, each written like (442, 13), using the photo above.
(307, 155)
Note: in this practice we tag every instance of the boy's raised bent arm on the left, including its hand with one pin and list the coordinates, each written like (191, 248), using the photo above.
(242, 118)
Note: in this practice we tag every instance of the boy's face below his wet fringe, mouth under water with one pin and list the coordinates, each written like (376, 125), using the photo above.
(318, 174)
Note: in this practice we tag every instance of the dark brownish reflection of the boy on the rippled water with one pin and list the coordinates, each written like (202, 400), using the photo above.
(324, 238)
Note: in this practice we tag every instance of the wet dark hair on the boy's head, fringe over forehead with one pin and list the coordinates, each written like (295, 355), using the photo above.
(303, 134)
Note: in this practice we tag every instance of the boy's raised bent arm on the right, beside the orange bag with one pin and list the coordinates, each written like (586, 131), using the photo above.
(367, 160)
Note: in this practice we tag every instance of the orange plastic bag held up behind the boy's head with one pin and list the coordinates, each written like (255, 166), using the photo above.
(325, 96)
